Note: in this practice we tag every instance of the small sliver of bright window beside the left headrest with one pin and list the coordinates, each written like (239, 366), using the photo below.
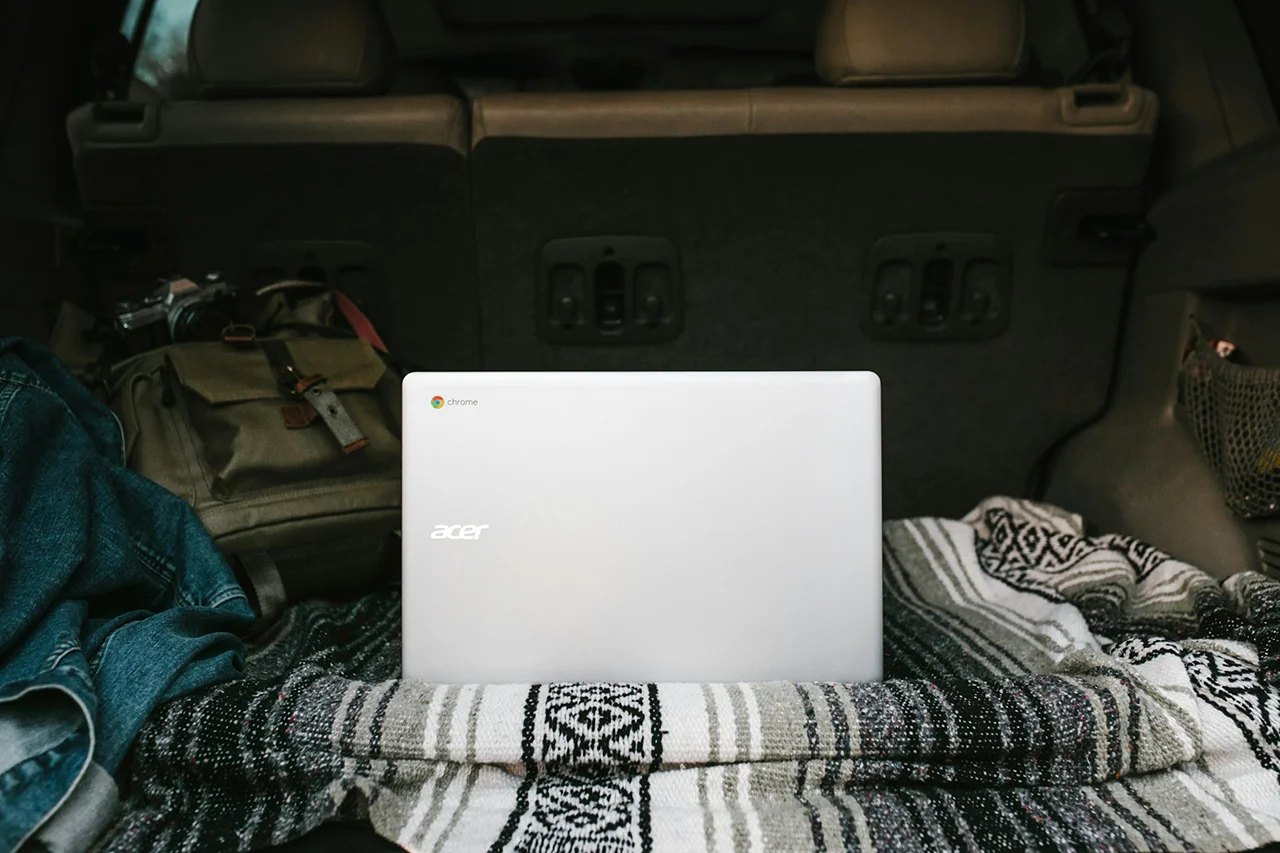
(161, 69)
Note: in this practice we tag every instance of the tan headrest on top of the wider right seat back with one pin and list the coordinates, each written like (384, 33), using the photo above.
(889, 42)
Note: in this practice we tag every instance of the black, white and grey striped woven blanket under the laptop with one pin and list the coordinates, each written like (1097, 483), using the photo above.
(1048, 691)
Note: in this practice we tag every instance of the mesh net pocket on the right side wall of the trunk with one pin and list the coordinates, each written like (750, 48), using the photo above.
(1235, 412)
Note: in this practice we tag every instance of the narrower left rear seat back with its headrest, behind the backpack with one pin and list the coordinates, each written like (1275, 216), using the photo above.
(295, 162)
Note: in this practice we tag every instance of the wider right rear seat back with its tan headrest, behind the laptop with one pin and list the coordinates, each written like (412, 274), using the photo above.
(796, 212)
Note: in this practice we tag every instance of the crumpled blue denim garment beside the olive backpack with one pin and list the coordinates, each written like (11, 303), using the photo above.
(113, 599)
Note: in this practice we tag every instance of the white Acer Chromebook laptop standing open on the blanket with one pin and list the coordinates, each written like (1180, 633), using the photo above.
(642, 527)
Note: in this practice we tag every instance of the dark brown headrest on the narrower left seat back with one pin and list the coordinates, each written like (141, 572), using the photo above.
(289, 48)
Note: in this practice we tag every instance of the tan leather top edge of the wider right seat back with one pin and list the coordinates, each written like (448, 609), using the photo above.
(815, 111)
